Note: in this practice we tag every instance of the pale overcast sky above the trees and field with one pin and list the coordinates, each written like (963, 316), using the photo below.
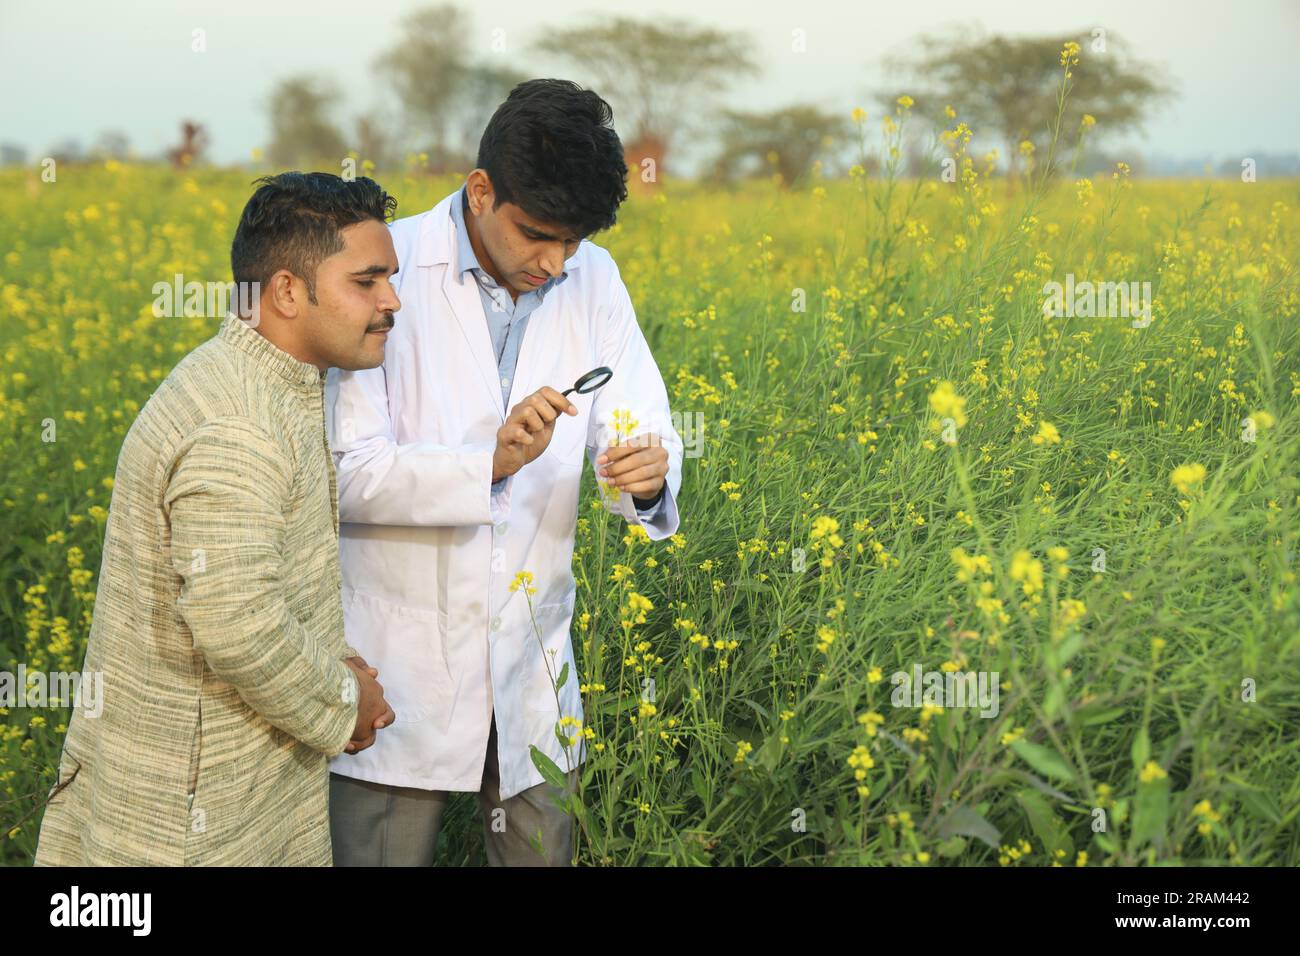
(73, 68)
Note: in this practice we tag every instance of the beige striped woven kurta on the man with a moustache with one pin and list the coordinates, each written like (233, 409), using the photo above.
(218, 629)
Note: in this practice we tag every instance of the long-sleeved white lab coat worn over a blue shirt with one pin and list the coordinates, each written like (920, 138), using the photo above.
(428, 552)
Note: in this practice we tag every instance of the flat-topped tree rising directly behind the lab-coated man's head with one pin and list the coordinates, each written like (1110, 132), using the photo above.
(661, 73)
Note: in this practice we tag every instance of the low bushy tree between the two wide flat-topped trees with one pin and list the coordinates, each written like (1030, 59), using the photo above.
(786, 142)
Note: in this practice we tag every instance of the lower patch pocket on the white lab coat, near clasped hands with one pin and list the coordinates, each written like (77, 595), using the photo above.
(408, 646)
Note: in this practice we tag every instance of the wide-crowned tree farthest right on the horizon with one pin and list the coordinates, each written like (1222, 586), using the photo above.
(1007, 86)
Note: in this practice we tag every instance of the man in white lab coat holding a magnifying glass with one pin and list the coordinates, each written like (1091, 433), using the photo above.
(460, 465)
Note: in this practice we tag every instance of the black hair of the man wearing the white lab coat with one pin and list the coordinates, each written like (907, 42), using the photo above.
(551, 149)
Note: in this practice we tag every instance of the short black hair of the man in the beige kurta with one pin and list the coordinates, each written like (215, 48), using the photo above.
(293, 223)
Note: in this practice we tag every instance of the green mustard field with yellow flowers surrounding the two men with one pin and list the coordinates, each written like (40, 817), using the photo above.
(904, 468)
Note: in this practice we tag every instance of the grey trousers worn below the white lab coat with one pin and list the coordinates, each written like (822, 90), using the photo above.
(378, 825)
